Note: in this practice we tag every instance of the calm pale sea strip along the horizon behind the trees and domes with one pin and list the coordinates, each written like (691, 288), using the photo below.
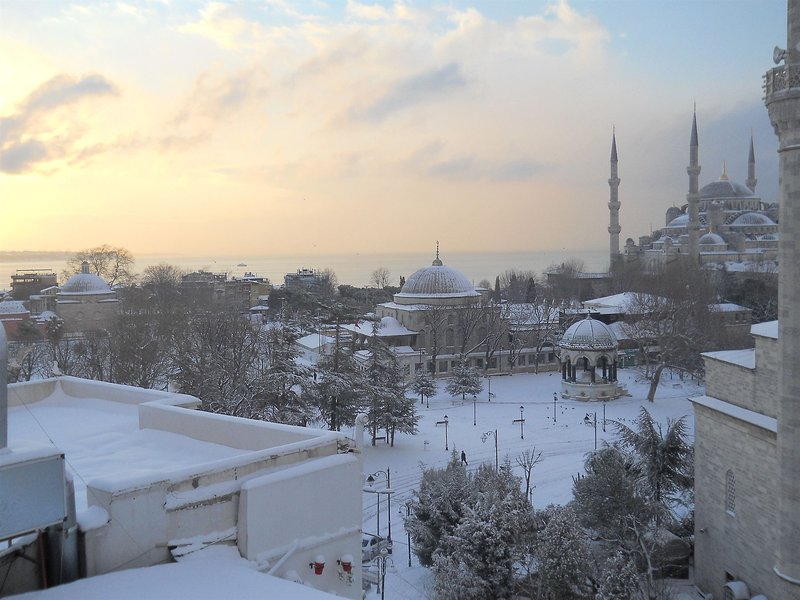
(352, 269)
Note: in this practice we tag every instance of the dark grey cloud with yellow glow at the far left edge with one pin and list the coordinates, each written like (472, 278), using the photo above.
(31, 135)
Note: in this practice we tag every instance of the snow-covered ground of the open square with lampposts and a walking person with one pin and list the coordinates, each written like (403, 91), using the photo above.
(563, 442)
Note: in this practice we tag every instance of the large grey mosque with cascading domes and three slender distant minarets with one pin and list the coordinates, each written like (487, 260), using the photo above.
(722, 222)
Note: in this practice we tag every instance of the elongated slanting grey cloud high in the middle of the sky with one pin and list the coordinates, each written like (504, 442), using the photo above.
(420, 88)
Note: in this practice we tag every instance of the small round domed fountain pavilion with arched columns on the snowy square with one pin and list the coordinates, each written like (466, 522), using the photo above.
(589, 361)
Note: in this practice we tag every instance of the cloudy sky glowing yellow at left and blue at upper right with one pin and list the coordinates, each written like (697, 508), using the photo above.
(328, 127)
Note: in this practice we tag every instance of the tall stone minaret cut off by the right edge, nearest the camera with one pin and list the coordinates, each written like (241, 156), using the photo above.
(782, 97)
